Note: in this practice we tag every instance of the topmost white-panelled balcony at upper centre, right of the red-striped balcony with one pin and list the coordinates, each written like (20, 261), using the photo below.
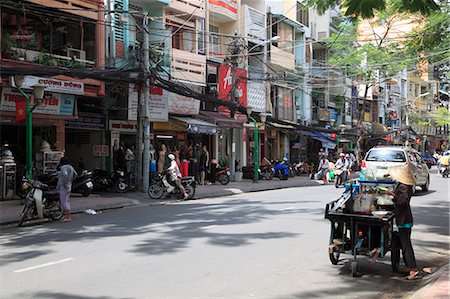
(253, 22)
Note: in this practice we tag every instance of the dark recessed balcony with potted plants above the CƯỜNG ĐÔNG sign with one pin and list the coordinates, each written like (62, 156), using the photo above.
(54, 42)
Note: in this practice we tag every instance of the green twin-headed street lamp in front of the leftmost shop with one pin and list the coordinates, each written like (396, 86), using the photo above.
(38, 93)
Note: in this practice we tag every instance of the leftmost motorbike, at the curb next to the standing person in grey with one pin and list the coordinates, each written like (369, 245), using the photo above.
(41, 202)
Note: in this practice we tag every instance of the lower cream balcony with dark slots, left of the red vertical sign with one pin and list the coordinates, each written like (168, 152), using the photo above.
(188, 66)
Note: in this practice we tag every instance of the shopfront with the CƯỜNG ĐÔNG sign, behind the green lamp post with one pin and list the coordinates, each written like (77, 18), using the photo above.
(57, 106)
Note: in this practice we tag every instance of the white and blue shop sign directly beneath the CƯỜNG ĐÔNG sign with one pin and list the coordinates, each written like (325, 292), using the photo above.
(52, 103)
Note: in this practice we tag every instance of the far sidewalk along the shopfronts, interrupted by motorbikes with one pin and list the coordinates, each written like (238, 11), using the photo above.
(10, 210)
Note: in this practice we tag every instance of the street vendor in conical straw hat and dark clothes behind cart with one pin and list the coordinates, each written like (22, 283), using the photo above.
(404, 219)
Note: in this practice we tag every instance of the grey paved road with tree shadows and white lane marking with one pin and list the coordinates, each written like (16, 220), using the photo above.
(270, 244)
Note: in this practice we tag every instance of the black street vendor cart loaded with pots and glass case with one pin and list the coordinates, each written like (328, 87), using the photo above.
(362, 223)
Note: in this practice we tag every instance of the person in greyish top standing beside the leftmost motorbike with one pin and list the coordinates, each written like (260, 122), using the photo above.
(66, 176)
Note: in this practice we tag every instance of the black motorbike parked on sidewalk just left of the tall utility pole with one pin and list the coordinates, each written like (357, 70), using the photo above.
(104, 180)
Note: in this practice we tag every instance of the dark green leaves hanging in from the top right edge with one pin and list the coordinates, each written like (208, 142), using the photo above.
(368, 8)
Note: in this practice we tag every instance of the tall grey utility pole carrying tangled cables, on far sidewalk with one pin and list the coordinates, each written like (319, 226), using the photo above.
(145, 116)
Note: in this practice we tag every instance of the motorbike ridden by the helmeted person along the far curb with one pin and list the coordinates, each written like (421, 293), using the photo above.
(162, 186)
